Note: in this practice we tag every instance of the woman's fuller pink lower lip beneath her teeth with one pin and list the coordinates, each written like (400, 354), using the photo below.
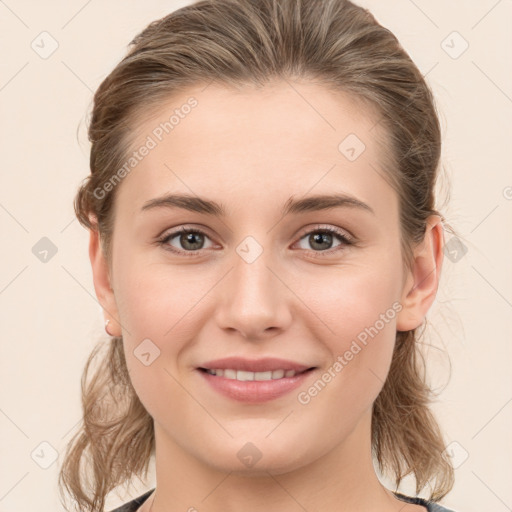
(255, 391)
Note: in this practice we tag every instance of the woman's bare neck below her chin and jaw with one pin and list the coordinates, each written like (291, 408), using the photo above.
(341, 480)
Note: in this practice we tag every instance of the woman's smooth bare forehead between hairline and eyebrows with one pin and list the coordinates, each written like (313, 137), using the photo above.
(284, 137)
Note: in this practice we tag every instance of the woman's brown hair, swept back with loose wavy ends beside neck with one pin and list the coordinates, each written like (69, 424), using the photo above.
(236, 42)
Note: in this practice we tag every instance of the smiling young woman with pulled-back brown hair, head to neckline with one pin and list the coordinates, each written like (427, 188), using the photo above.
(265, 245)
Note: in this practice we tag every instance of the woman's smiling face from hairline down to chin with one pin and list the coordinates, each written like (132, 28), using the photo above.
(262, 279)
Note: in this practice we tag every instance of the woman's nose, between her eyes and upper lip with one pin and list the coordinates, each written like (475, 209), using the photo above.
(254, 301)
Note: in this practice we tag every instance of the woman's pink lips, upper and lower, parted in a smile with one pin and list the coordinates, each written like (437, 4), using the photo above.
(255, 392)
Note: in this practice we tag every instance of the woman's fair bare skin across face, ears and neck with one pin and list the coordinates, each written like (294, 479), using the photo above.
(250, 150)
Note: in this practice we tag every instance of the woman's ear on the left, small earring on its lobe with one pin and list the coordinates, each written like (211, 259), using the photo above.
(102, 283)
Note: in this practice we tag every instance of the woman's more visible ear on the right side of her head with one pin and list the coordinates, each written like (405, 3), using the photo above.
(422, 280)
